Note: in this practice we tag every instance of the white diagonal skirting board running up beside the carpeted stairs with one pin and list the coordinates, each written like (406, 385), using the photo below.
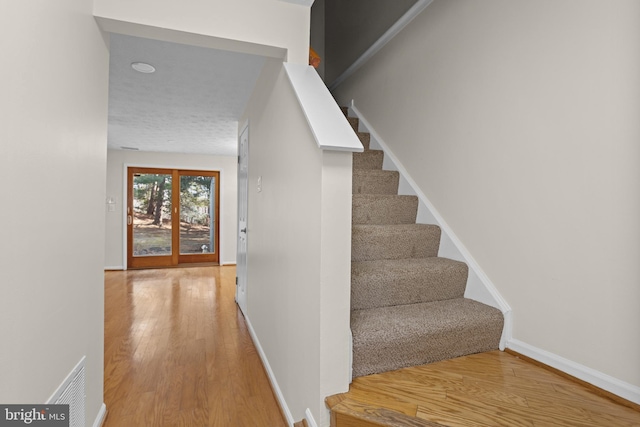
(483, 285)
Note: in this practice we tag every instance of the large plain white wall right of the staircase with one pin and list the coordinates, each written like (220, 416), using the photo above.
(519, 121)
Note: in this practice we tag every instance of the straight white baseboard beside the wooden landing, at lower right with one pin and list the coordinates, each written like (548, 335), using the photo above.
(606, 382)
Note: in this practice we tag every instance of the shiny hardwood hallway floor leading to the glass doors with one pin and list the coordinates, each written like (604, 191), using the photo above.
(178, 352)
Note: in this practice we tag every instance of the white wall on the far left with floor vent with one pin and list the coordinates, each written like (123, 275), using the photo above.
(52, 161)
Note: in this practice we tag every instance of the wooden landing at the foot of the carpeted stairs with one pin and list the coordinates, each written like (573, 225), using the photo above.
(485, 389)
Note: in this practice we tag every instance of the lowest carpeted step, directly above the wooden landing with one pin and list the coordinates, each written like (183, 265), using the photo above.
(389, 338)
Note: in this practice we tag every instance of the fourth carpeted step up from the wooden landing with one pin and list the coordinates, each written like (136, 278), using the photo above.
(384, 209)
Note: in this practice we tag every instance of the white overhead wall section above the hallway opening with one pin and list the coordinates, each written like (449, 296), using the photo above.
(264, 23)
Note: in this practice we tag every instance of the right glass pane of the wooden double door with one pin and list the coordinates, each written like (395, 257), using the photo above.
(197, 208)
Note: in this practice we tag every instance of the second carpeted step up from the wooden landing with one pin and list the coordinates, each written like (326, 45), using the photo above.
(382, 283)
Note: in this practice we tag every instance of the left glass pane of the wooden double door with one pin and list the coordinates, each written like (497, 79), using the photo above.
(151, 214)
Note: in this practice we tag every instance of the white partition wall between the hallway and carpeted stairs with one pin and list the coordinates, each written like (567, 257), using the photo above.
(298, 266)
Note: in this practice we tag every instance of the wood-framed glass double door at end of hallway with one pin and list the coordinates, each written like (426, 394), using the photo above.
(172, 217)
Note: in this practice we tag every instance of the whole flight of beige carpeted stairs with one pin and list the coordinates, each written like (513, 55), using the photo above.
(407, 304)
